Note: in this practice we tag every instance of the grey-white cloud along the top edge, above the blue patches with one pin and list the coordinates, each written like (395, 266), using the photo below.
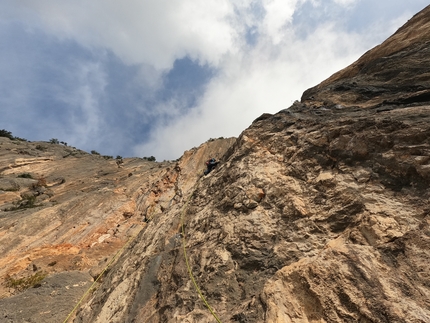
(154, 32)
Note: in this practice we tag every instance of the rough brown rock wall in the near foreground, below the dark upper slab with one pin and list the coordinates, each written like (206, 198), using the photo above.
(307, 221)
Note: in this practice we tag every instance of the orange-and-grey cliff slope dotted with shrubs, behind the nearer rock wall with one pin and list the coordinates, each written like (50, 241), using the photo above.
(65, 211)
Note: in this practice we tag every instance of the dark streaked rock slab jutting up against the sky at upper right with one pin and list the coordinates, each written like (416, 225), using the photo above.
(394, 73)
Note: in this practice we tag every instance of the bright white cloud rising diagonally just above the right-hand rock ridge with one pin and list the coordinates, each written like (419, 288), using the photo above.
(257, 82)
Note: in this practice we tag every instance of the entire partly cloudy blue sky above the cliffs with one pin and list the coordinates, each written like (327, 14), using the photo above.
(140, 78)
